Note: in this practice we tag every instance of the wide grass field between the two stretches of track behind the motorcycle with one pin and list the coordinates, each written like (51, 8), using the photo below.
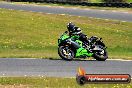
(34, 35)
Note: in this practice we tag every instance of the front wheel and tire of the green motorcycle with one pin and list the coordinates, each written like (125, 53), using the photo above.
(66, 53)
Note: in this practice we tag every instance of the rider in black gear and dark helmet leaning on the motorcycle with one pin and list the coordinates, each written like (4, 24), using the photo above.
(73, 30)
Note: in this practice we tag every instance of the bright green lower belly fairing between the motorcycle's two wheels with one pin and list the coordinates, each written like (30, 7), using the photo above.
(82, 52)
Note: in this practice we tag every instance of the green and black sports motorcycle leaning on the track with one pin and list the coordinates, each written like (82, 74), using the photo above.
(71, 47)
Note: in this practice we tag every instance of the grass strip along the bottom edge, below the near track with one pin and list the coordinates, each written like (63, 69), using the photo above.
(50, 82)
